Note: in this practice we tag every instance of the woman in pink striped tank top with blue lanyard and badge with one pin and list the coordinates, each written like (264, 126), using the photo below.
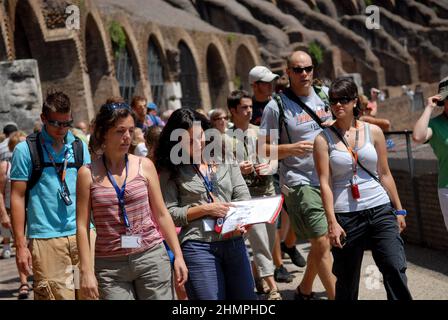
(123, 194)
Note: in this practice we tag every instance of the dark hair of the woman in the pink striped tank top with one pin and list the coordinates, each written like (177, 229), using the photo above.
(107, 118)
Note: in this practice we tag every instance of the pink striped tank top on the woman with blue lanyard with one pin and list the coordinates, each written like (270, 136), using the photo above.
(108, 219)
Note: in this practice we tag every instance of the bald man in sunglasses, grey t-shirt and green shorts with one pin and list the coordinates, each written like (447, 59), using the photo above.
(298, 178)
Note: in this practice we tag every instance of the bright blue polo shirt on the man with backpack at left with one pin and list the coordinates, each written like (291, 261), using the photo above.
(47, 215)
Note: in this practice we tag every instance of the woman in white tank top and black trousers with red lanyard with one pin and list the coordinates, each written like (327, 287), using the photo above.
(360, 197)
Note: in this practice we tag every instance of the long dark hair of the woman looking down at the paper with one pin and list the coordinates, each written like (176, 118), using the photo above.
(180, 119)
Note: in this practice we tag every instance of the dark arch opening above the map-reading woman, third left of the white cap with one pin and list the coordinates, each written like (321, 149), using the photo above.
(188, 77)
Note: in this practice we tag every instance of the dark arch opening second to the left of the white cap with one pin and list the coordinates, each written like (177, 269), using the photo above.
(217, 75)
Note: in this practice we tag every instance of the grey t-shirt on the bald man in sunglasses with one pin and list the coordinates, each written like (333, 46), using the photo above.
(301, 127)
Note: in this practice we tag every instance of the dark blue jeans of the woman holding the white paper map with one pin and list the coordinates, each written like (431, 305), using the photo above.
(218, 270)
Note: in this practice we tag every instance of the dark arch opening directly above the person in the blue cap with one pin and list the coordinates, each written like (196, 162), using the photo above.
(157, 71)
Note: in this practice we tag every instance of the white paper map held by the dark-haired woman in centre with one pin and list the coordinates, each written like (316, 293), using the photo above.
(257, 210)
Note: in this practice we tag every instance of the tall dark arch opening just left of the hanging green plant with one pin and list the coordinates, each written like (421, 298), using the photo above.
(97, 63)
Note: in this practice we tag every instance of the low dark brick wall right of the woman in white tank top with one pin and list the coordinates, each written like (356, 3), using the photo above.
(434, 233)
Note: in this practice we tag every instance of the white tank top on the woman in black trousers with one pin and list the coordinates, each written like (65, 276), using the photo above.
(372, 194)
